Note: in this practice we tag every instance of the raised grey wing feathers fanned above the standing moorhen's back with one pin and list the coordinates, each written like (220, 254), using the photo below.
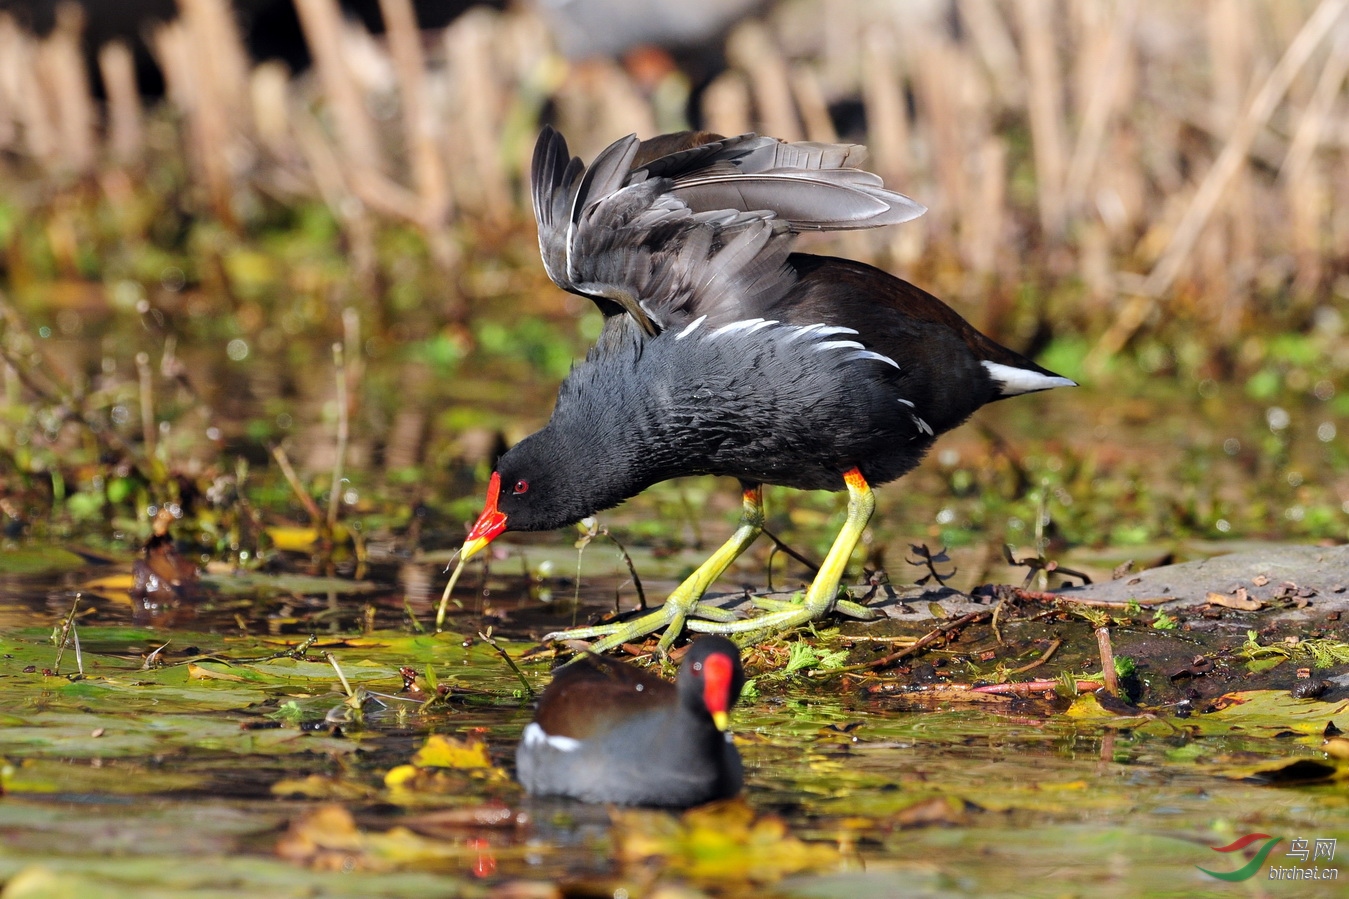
(695, 225)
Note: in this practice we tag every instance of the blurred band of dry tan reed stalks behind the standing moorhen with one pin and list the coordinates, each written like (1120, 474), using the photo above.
(1158, 161)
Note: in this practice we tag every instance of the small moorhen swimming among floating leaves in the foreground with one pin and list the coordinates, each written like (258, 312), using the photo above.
(610, 732)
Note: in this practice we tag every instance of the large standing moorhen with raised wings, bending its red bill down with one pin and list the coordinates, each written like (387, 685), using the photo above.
(724, 353)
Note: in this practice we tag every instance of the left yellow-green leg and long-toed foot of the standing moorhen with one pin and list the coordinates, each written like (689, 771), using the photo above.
(685, 605)
